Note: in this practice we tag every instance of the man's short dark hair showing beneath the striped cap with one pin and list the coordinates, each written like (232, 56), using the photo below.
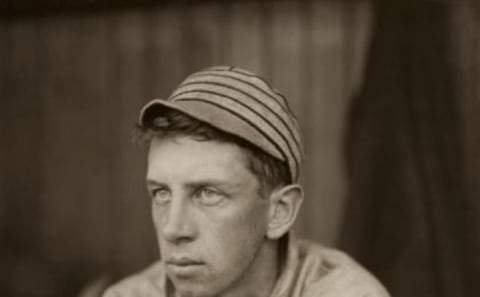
(270, 171)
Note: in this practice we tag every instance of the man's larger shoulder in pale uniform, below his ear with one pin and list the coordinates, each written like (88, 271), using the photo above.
(330, 272)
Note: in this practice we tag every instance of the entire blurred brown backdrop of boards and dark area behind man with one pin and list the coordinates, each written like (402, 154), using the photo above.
(387, 95)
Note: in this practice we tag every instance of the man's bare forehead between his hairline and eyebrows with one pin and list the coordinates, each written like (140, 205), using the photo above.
(185, 156)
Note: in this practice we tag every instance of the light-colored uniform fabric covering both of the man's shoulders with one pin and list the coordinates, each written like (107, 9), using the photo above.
(310, 270)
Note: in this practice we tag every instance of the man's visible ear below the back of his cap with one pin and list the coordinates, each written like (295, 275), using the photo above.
(285, 203)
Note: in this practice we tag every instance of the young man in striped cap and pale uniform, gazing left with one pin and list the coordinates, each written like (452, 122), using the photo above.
(224, 158)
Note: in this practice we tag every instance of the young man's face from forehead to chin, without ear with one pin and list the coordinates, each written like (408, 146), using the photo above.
(210, 221)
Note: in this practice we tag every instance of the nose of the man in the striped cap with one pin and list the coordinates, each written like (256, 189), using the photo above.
(177, 226)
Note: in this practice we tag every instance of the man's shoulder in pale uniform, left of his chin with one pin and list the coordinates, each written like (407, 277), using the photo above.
(147, 283)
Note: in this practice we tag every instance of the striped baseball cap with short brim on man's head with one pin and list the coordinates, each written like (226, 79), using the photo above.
(241, 103)
